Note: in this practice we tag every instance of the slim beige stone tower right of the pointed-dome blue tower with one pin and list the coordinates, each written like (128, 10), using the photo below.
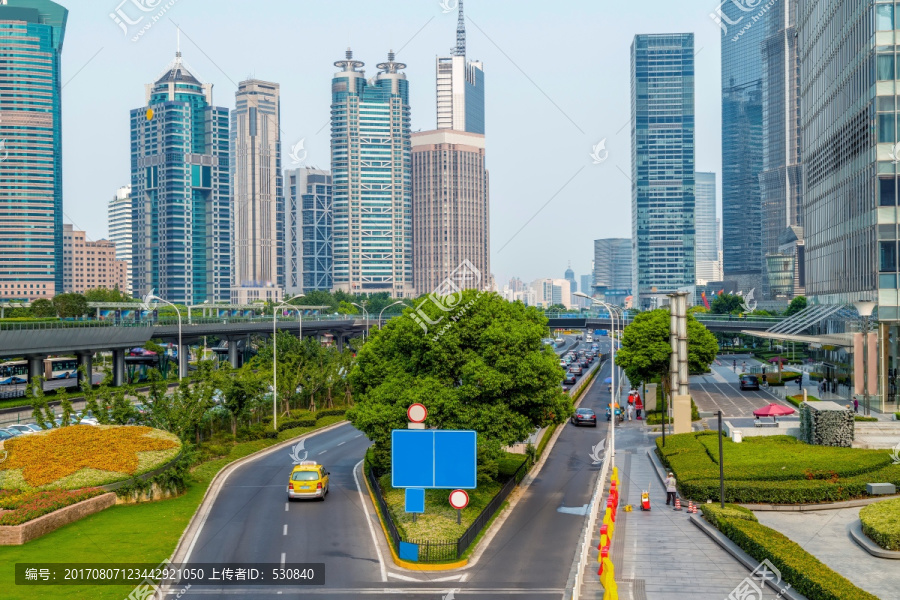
(258, 205)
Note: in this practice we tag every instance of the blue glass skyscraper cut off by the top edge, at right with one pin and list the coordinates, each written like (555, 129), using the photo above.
(742, 143)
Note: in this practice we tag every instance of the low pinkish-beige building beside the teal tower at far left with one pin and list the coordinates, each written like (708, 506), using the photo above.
(89, 265)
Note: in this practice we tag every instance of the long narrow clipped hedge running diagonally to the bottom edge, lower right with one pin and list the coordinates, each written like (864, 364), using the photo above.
(803, 571)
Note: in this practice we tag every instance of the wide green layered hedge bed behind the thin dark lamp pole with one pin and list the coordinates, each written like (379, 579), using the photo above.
(773, 469)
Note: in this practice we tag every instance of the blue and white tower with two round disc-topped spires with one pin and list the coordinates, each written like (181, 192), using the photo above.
(370, 161)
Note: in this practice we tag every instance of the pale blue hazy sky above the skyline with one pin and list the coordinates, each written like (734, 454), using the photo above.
(556, 84)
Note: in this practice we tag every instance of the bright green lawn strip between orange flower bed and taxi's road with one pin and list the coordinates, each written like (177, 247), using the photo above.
(145, 533)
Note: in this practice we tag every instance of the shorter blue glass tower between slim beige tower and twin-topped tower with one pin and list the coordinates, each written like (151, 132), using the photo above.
(308, 230)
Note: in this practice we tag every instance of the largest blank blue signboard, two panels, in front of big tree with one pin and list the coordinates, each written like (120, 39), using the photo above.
(433, 458)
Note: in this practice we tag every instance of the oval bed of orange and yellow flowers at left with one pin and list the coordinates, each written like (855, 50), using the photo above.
(80, 456)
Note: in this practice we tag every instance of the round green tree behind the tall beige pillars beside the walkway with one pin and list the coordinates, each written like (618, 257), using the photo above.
(646, 349)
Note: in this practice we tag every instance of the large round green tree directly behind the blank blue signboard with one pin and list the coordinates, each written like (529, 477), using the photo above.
(479, 366)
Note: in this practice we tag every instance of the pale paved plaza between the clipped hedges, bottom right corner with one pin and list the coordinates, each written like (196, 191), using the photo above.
(825, 535)
